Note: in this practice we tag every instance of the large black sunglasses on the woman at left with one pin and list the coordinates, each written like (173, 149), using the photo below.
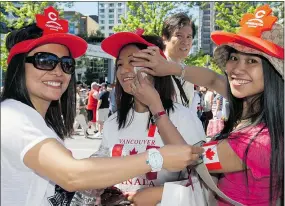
(48, 62)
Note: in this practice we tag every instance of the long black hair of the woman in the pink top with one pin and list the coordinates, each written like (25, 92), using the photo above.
(268, 108)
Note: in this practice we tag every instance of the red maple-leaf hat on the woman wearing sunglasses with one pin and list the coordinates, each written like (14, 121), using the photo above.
(54, 31)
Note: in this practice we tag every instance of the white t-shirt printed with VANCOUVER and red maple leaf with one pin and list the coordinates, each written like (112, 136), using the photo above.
(134, 139)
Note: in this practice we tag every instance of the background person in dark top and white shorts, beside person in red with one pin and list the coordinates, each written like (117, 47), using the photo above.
(103, 107)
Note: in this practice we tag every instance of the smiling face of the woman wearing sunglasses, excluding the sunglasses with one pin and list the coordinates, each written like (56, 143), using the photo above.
(47, 85)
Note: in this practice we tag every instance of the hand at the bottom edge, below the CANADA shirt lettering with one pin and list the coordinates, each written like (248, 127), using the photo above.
(147, 197)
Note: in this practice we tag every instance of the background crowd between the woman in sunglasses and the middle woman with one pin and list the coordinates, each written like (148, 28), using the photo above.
(93, 107)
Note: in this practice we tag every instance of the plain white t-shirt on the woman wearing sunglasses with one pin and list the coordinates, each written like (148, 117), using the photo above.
(22, 127)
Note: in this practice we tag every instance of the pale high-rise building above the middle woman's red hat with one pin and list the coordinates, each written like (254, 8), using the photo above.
(109, 15)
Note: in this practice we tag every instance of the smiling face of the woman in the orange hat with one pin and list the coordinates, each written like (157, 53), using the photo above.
(245, 74)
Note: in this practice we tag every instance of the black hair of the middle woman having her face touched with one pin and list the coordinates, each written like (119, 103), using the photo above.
(163, 85)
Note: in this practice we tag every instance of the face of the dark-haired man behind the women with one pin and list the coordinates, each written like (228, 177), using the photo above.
(180, 43)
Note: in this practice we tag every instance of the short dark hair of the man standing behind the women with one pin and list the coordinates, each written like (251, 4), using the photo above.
(177, 21)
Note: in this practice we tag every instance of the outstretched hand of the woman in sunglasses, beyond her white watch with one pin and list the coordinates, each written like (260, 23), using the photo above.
(178, 157)
